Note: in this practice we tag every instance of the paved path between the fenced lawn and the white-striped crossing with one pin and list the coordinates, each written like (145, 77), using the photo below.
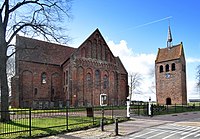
(135, 125)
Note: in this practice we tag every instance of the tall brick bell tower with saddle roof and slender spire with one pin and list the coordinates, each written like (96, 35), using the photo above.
(170, 70)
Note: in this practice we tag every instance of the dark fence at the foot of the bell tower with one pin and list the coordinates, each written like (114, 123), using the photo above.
(142, 108)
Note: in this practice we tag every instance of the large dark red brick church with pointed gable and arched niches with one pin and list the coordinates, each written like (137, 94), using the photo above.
(52, 75)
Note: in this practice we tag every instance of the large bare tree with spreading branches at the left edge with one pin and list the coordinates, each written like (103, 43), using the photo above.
(33, 18)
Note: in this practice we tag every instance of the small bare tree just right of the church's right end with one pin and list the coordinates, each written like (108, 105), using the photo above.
(135, 81)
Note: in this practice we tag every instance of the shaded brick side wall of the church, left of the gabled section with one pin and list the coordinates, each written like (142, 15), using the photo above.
(30, 80)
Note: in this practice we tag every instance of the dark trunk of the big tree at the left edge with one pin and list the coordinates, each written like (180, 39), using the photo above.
(4, 87)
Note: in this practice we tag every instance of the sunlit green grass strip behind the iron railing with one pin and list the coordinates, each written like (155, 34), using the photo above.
(49, 126)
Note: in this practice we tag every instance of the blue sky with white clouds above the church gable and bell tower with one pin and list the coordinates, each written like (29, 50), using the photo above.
(135, 29)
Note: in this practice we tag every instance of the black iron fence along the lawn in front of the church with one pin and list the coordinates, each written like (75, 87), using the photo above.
(29, 123)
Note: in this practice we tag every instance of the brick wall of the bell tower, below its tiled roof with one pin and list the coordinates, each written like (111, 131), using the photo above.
(173, 87)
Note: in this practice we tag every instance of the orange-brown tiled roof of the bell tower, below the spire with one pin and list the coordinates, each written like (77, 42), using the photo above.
(166, 54)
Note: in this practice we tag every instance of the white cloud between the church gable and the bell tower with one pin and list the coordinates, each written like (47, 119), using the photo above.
(136, 63)
